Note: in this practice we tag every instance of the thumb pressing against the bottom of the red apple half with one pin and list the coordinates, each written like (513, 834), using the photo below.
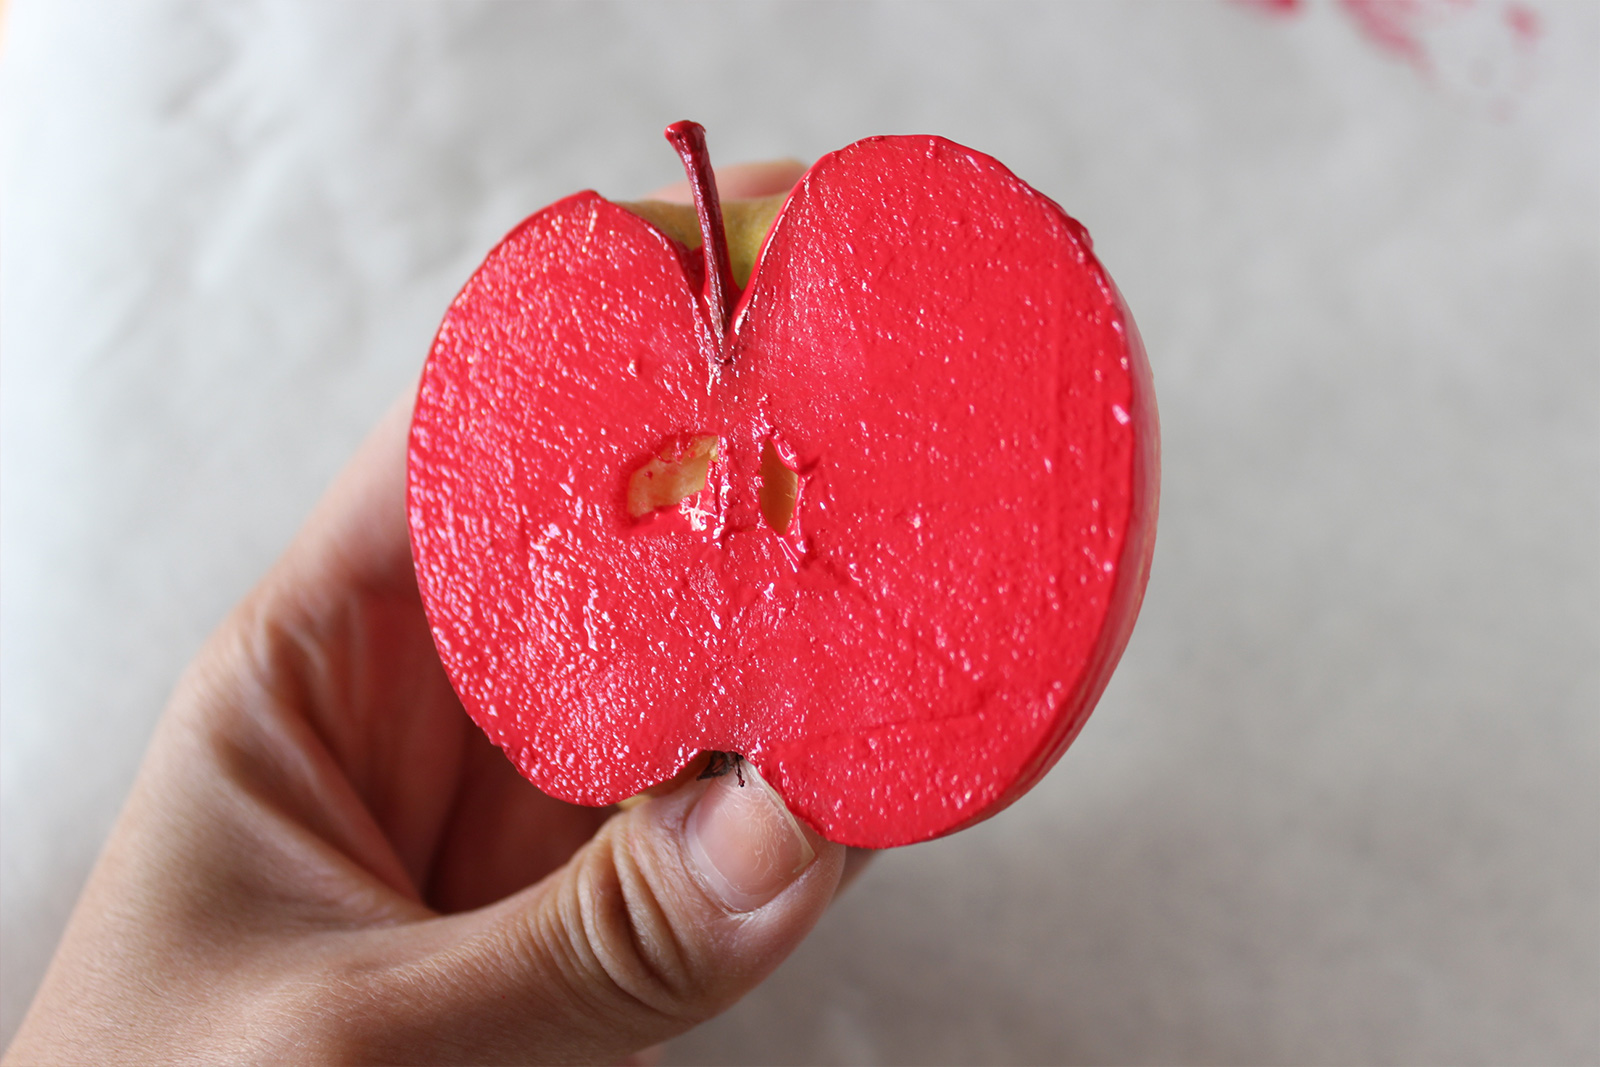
(676, 909)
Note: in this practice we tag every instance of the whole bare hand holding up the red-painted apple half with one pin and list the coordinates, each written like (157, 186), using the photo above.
(324, 860)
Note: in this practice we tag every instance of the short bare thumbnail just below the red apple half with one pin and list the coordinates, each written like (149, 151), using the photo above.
(745, 842)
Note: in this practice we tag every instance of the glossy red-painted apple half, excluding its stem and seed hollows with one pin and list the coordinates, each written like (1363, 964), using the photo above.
(970, 415)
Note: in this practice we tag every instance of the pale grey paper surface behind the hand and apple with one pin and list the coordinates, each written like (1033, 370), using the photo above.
(1342, 801)
